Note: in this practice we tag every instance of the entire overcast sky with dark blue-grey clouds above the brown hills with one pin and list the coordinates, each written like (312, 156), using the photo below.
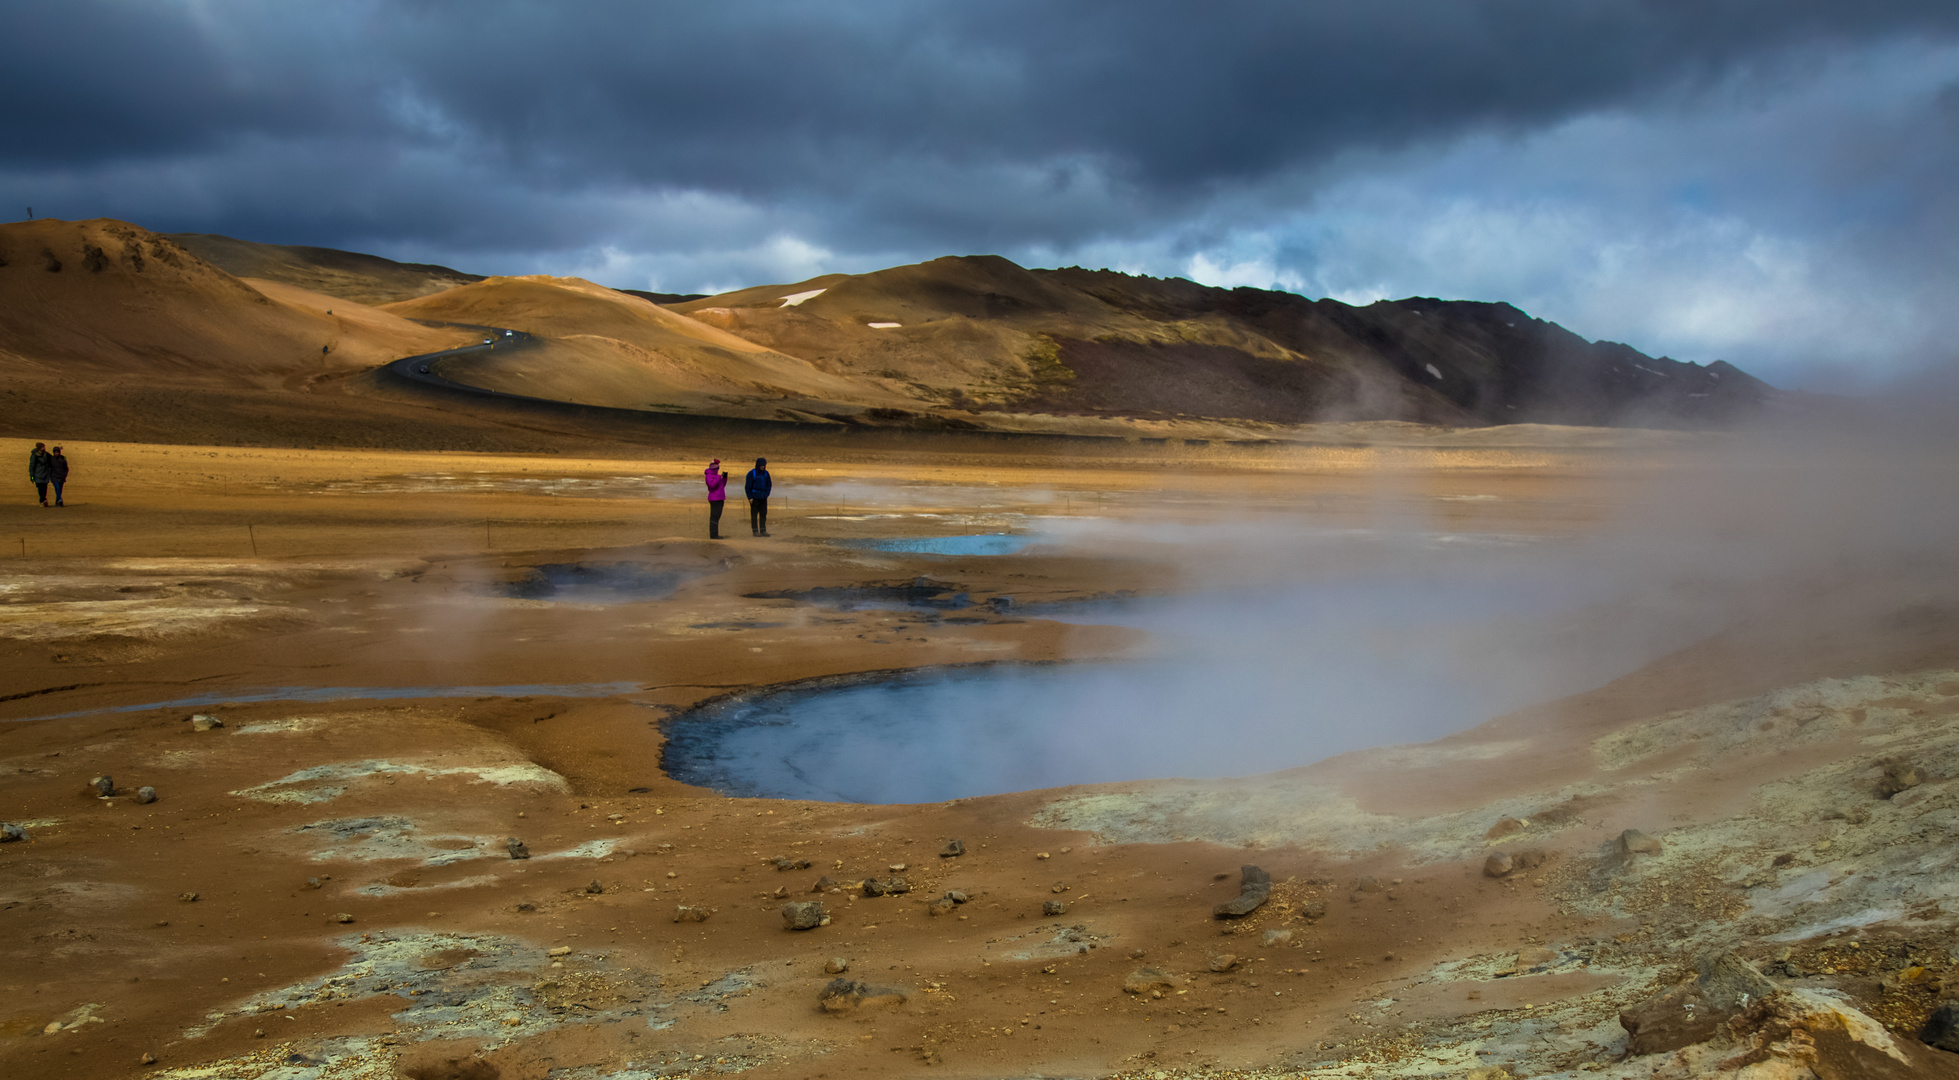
(1770, 183)
